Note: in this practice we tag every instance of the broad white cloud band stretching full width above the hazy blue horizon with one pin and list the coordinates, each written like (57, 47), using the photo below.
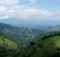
(28, 13)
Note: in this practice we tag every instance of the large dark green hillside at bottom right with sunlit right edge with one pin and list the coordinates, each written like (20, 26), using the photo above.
(47, 47)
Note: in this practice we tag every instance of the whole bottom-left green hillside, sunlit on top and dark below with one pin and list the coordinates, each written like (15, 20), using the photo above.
(8, 48)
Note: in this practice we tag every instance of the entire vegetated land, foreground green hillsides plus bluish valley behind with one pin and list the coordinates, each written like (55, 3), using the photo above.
(26, 42)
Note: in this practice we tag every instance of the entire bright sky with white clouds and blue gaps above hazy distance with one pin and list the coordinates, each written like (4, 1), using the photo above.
(30, 10)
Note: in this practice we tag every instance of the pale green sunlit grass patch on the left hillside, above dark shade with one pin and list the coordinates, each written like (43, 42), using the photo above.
(9, 43)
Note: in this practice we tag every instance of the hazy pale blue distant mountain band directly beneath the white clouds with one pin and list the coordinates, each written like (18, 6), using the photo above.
(30, 23)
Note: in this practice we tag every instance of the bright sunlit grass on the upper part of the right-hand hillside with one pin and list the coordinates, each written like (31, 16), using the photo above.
(52, 40)
